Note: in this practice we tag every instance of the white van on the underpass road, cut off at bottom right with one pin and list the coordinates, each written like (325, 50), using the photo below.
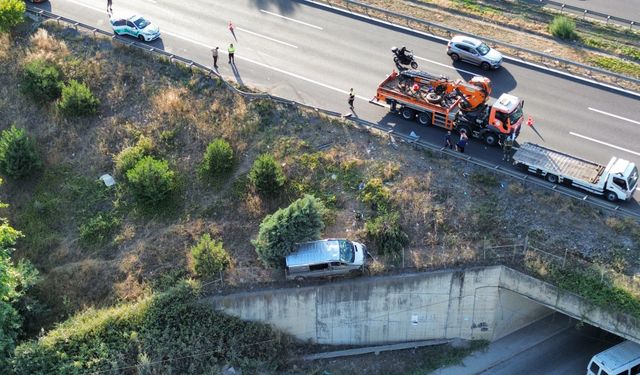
(622, 359)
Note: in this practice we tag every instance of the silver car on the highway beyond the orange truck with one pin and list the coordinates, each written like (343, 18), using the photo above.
(474, 51)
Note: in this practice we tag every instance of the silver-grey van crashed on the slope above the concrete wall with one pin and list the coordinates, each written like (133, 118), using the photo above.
(330, 257)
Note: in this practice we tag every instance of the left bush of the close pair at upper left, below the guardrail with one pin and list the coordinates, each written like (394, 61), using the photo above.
(41, 81)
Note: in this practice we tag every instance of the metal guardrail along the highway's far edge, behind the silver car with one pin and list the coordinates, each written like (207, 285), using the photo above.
(354, 7)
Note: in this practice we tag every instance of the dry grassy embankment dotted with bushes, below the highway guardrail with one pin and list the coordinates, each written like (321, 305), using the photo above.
(214, 187)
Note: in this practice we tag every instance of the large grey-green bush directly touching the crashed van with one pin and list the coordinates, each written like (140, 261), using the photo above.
(279, 232)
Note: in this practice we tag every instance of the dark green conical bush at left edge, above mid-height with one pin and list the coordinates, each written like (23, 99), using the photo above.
(18, 155)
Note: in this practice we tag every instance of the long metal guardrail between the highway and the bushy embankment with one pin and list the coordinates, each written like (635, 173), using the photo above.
(414, 141)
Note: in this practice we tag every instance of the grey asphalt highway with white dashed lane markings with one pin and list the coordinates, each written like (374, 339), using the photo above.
(314, 55)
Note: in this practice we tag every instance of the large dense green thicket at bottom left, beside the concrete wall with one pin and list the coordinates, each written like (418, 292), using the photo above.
(167, 333)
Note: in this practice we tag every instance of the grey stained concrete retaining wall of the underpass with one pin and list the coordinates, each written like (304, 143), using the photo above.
(479, 303)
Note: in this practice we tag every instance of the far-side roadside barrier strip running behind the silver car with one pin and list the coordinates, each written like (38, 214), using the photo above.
(443, 34)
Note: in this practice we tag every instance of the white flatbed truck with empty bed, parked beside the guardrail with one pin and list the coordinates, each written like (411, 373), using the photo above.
(616, 181)
